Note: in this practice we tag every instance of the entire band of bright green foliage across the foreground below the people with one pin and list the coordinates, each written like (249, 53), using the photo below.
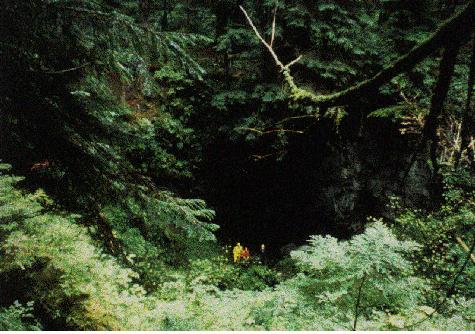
(78, 286)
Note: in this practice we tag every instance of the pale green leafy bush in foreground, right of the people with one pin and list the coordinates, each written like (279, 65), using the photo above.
(334, 275)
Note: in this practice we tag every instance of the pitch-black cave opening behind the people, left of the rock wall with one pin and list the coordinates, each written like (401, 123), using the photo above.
(275, 203)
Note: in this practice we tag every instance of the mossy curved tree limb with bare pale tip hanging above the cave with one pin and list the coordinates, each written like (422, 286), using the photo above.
(456, 29)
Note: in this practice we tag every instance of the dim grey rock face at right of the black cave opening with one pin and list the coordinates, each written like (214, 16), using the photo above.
(358, 177)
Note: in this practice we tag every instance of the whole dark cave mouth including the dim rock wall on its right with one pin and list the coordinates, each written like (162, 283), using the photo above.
(328, 183)
